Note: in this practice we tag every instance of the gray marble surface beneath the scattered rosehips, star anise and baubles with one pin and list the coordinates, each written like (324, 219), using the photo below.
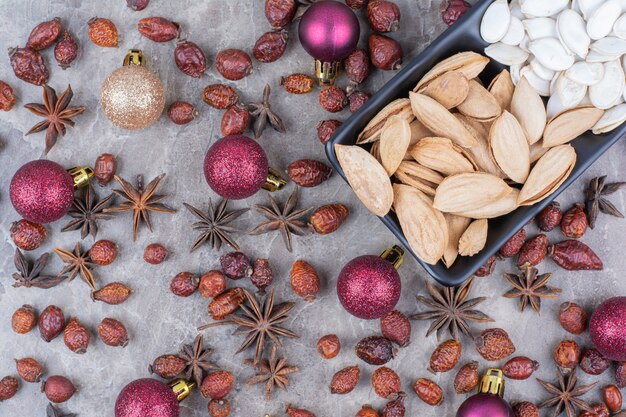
(158, 321)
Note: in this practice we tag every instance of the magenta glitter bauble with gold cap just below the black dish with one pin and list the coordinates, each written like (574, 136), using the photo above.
(369, 286)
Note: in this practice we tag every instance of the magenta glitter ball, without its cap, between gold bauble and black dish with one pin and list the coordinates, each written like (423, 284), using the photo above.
(236, 167)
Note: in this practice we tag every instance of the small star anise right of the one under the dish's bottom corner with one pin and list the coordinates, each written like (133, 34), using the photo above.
(530, 288)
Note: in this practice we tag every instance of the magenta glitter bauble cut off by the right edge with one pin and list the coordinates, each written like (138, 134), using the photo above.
(607, 328)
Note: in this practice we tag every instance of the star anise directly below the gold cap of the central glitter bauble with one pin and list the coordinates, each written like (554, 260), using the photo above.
(287, 220)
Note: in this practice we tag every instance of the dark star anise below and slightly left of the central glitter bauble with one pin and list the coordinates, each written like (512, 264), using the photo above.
(214, 225)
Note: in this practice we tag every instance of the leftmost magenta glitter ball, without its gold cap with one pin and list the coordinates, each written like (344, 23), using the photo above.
(42, 191)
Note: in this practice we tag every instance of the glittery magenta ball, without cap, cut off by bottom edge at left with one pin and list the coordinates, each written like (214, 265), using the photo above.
(147, 397)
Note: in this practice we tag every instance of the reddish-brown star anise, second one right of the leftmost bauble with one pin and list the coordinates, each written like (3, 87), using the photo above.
(140, 201)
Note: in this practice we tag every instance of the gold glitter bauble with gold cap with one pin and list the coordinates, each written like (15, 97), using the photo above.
(132, 96)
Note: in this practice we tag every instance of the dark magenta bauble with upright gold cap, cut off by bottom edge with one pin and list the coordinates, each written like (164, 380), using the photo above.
(488, 402)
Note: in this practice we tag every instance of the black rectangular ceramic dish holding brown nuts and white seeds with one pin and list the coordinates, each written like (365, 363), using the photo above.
(462, 36)
